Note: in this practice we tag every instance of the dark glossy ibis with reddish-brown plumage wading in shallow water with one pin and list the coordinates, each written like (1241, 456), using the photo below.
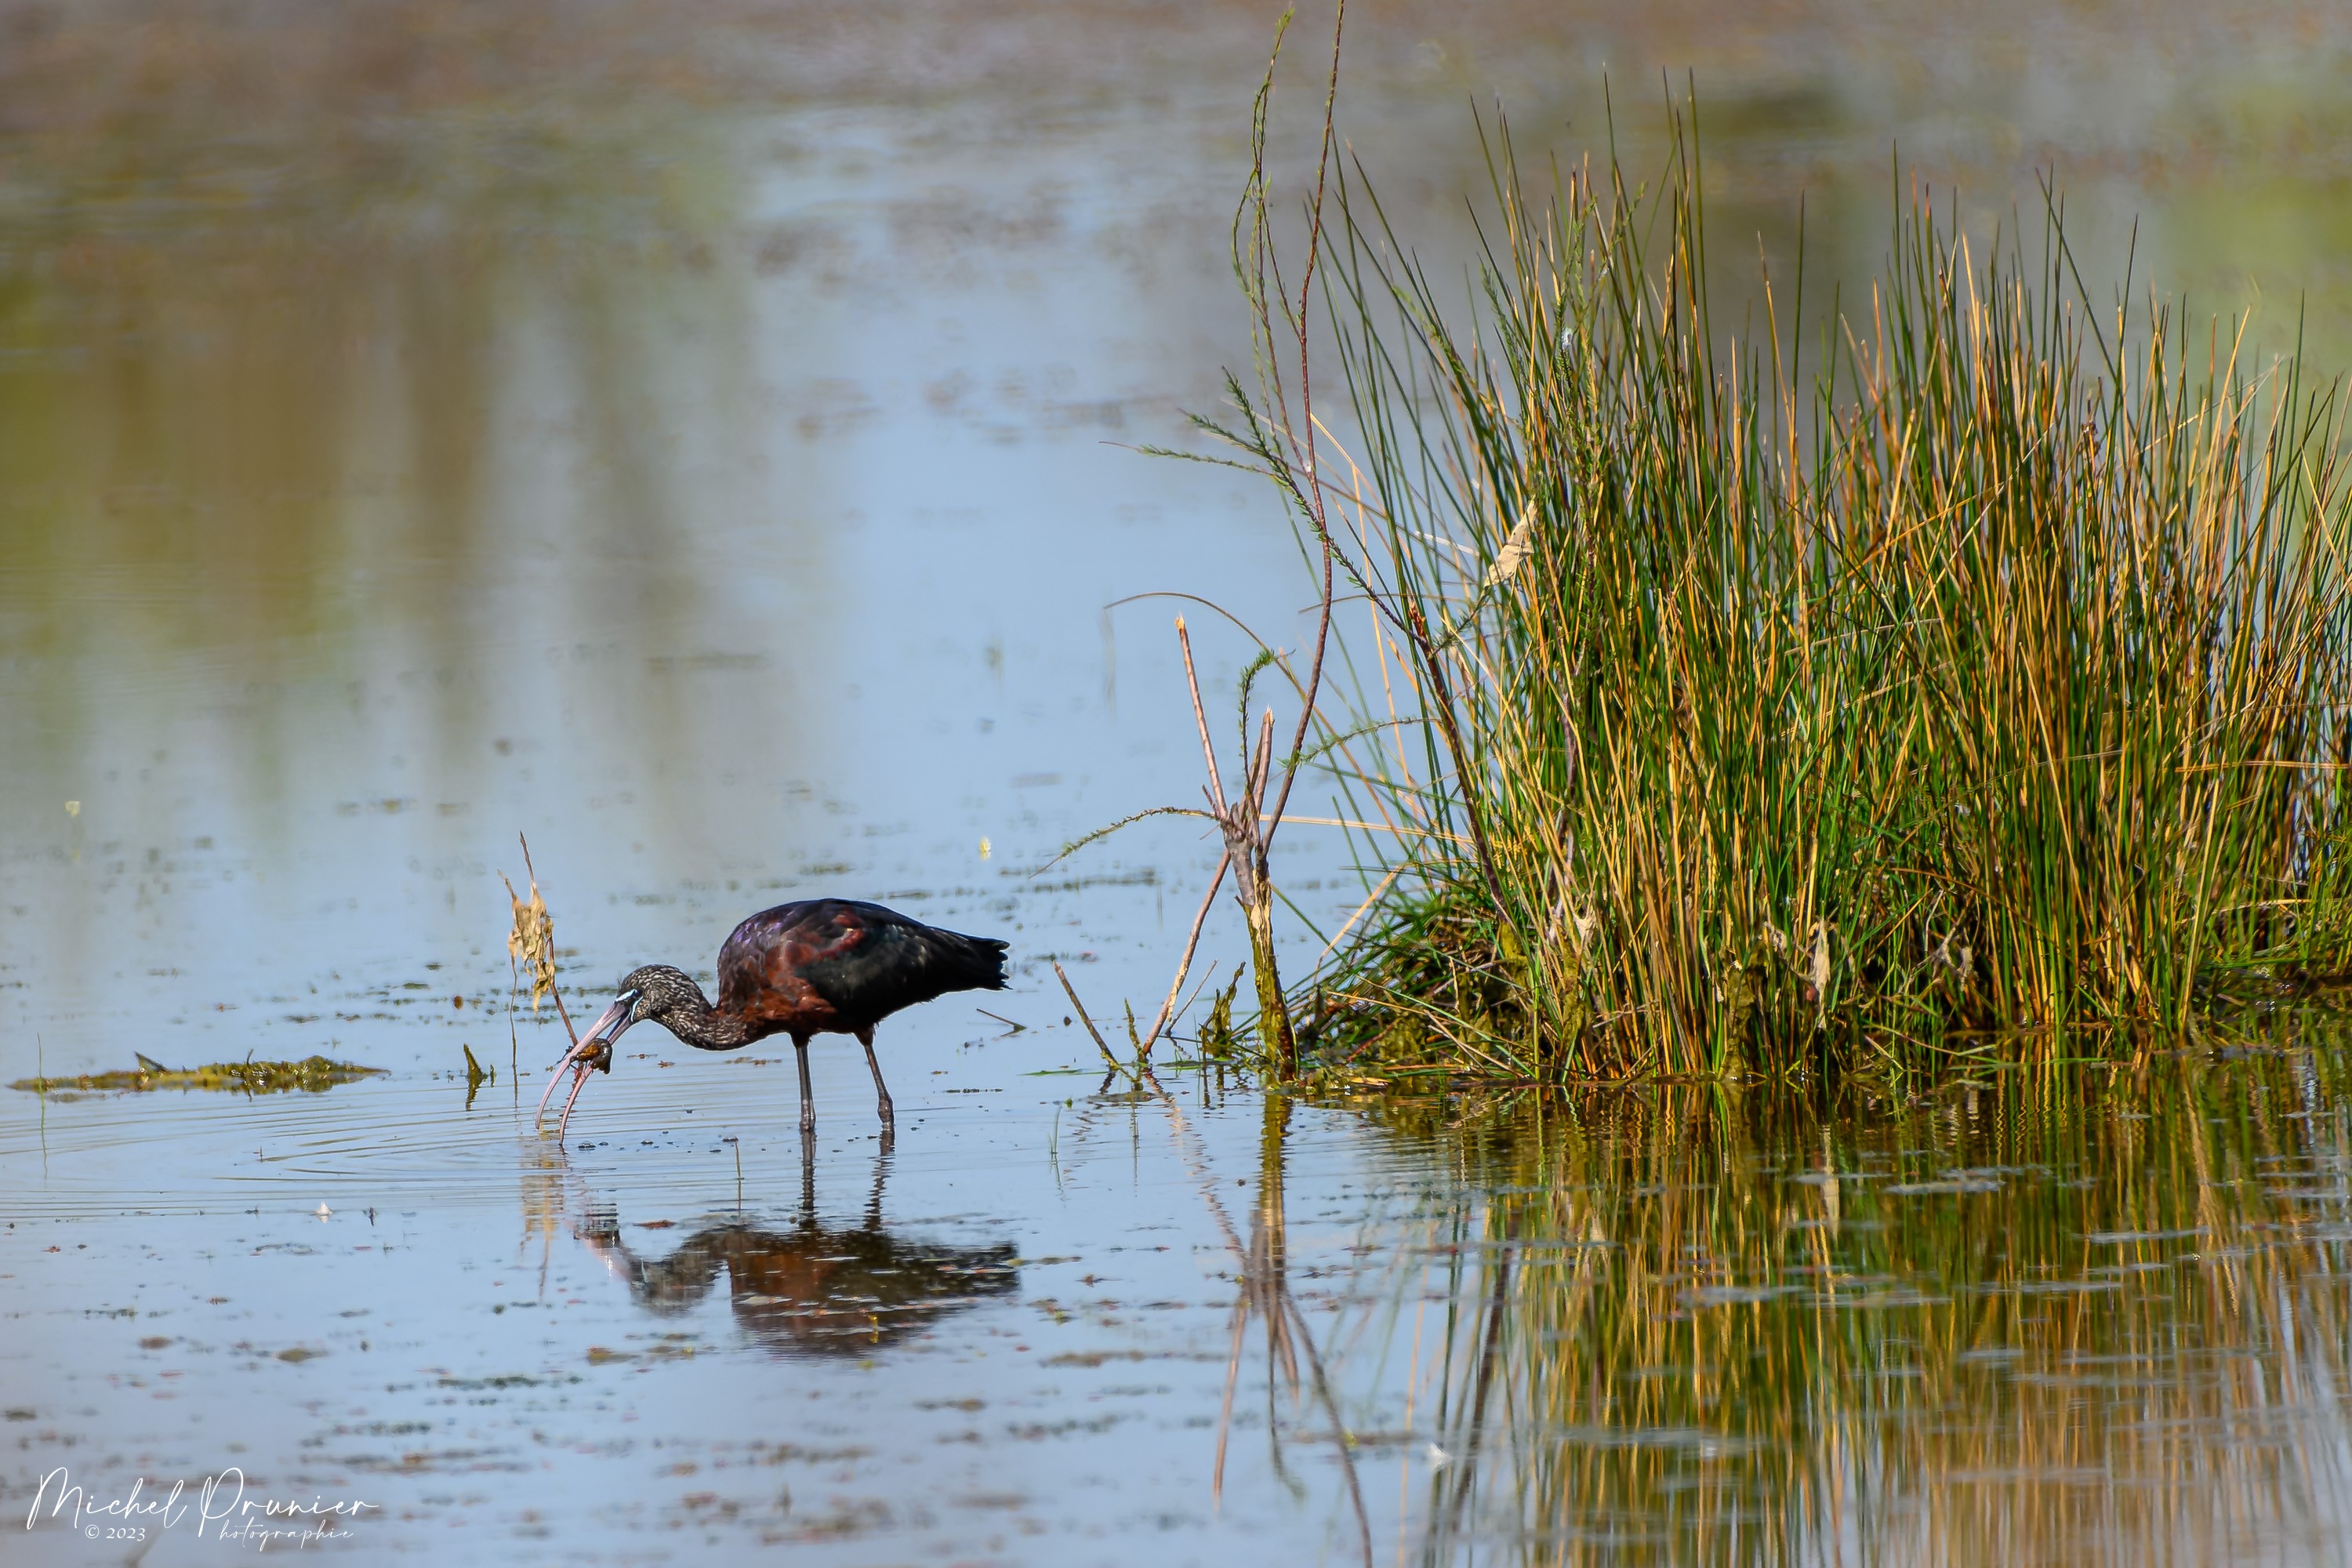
(820, 967)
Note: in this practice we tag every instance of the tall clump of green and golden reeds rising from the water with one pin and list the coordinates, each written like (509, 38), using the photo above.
(1984, 674)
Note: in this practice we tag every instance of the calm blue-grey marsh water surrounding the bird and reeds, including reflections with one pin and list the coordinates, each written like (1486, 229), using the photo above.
(697, 448)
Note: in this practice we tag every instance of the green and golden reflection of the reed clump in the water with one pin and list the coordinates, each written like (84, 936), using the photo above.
(2078, 1315)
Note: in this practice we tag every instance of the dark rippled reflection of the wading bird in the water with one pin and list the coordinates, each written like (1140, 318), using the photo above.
(813, 1289)
